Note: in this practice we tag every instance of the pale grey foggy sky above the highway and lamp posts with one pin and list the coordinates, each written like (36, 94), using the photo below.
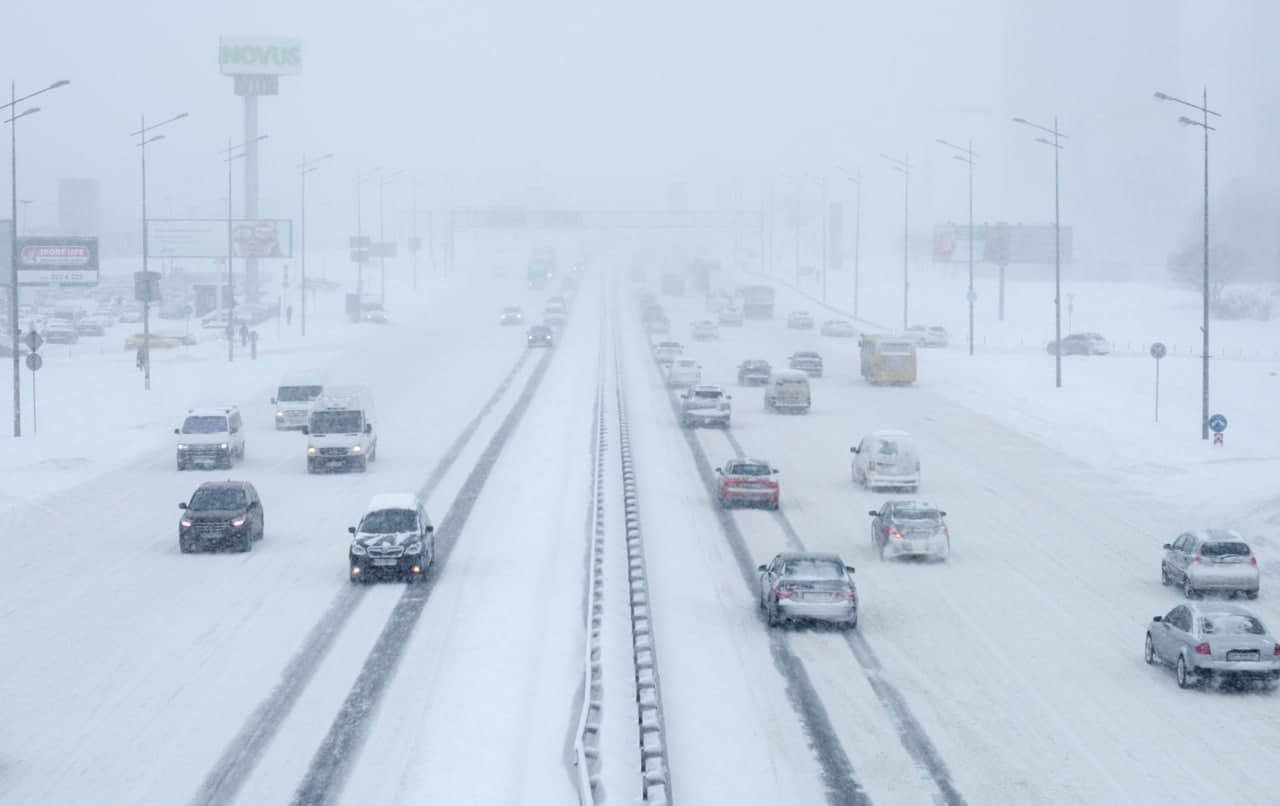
(589, 104)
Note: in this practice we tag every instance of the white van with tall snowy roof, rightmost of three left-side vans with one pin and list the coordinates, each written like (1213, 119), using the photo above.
(341, 431)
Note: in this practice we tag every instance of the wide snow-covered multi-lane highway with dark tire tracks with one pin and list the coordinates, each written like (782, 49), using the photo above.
(1012, 674)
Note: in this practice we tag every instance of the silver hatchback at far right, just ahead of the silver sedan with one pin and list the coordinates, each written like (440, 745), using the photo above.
(1212, 561)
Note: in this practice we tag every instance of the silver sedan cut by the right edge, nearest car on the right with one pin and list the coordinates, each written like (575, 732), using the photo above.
(1213, 640)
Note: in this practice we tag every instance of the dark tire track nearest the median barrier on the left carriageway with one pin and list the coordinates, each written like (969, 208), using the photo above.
(332, 763)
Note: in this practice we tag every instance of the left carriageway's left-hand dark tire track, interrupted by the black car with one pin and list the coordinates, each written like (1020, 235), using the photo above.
(228, 776)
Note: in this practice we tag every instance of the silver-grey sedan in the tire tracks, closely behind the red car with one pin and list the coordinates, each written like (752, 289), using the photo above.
(808, 587)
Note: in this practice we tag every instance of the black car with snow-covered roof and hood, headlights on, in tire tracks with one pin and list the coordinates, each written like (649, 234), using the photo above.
(395, 539)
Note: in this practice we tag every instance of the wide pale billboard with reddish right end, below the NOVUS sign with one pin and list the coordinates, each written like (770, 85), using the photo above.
(208, 239)
